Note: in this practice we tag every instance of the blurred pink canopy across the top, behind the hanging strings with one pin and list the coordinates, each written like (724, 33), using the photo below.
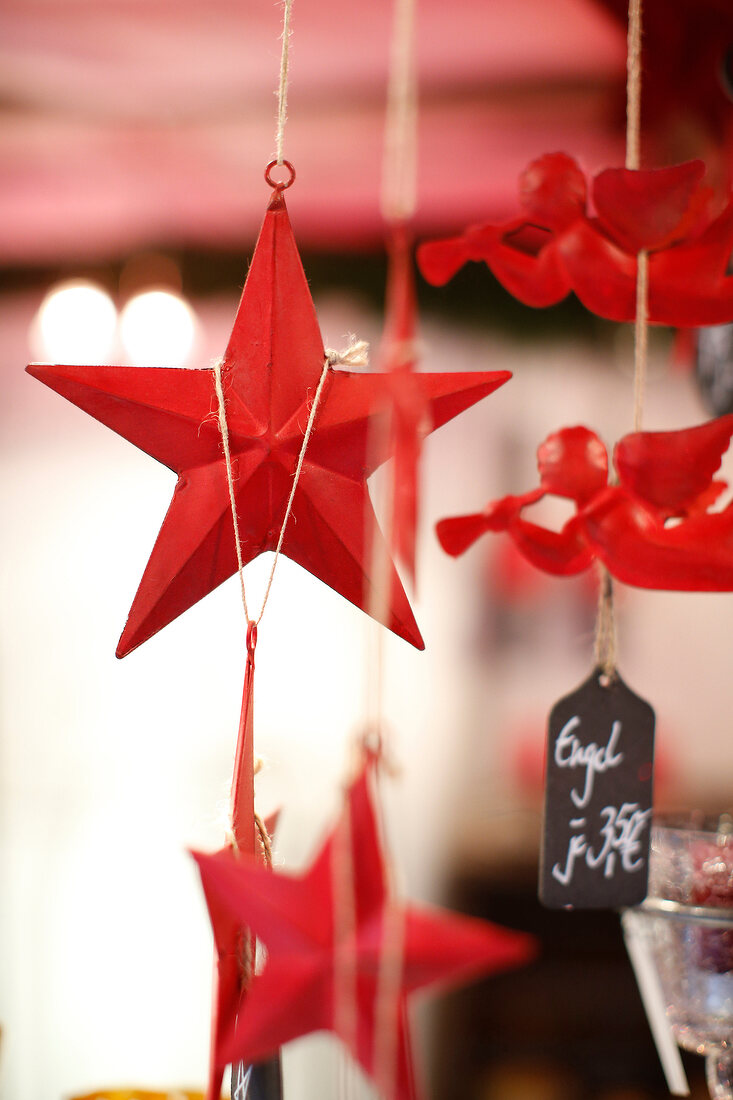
(135, 123)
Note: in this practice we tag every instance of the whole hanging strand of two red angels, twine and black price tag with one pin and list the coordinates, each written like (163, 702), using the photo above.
(650, 254)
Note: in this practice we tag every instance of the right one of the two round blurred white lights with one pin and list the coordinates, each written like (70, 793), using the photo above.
(158, 329)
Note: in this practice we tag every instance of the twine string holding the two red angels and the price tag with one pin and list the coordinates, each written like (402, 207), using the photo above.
(606, 626)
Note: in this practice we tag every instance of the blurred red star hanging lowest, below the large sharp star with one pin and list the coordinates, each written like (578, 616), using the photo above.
(325, 933)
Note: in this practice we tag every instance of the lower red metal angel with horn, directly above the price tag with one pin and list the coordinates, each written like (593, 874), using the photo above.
(653, 530)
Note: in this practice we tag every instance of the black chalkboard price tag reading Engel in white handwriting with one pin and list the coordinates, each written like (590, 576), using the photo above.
(598, 798)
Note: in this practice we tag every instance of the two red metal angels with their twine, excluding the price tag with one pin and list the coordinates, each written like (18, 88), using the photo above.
(650, 255)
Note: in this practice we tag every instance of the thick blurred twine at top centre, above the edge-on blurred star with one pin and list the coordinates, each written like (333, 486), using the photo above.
(400, 164)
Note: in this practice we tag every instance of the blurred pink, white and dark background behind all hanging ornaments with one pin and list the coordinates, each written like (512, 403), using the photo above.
(134, 137)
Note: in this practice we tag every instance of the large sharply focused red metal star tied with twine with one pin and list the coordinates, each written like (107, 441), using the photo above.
(271, 369)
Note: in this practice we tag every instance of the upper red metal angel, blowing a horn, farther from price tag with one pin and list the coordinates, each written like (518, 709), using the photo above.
(555, 246)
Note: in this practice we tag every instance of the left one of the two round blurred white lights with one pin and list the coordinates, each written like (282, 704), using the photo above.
(75, 324)
